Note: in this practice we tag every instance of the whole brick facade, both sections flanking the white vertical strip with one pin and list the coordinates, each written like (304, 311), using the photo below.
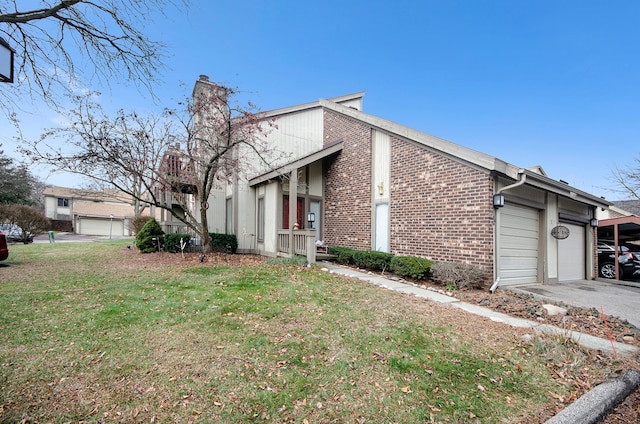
(439, 208)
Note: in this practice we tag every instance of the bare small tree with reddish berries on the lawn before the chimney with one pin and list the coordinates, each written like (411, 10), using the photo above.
(175, 158)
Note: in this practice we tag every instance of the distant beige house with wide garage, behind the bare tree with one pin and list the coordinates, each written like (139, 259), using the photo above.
(105, 213)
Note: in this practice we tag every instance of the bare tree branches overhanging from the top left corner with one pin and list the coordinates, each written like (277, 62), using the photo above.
(61, 45)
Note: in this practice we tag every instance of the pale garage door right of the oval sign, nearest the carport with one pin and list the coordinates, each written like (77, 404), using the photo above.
(571, 254)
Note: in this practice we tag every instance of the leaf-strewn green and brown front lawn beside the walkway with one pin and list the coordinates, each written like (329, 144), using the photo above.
(93, 331)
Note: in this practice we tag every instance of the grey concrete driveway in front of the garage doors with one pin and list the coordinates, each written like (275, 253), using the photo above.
(620, 300)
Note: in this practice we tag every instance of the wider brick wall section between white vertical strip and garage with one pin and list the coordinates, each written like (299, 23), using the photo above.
(440, 208)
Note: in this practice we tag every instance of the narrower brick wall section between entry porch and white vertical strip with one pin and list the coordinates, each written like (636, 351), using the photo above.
(347, 207)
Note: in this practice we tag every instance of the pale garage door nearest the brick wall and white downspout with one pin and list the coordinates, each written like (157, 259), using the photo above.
(519, 228)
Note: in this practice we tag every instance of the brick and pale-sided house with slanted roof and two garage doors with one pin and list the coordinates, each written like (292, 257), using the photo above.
(375, 184)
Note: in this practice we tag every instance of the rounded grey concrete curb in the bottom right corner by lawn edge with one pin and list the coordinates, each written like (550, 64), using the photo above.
(599, 401)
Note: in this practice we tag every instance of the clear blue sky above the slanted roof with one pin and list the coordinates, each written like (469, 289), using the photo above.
(549, 83)
